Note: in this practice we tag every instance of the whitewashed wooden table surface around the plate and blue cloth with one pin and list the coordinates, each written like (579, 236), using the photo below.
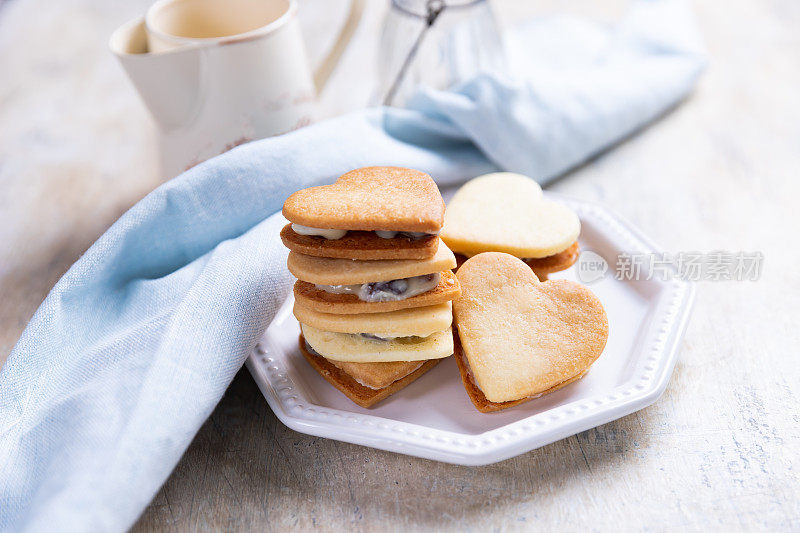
(718, 451)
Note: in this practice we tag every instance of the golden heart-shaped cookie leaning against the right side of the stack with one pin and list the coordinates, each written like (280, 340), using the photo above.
(522, 337)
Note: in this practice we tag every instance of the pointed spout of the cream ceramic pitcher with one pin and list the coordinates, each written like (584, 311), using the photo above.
(168, 83)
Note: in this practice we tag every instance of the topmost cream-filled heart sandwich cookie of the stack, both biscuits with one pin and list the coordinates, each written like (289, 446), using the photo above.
(369, 213)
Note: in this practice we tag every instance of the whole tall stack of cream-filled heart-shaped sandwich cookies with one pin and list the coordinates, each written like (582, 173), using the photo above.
(374, 289)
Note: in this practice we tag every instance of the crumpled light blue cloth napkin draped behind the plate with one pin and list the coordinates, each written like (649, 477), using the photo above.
(135, 345)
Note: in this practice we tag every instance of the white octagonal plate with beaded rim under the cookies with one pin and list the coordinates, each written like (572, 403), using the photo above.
(433, 417)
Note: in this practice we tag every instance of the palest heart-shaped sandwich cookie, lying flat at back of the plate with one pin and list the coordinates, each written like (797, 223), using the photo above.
(505, 212)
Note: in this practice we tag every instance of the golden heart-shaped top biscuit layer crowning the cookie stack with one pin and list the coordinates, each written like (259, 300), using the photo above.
(369, 199)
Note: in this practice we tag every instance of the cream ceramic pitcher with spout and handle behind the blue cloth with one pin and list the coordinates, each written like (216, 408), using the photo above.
(217, 73)
